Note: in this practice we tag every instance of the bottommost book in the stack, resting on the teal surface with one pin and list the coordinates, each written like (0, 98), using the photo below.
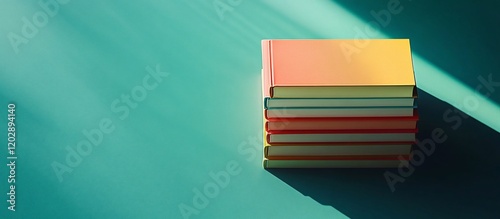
(347, 162)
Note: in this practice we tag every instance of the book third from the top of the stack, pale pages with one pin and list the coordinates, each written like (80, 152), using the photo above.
(339, 112)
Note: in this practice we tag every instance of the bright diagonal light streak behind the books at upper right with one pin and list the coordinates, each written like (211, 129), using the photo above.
(333, 21)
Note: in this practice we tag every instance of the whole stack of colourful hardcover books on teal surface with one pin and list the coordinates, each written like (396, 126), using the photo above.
(338, 103)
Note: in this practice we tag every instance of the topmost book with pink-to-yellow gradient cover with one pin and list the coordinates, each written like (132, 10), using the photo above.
(337, 68)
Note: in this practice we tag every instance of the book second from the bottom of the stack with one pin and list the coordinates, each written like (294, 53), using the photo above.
(276, 151)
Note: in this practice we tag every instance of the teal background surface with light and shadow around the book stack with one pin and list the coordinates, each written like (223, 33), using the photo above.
(202, 113)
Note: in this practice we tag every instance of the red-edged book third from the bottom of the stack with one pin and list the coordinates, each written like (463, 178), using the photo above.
(322, 136)
